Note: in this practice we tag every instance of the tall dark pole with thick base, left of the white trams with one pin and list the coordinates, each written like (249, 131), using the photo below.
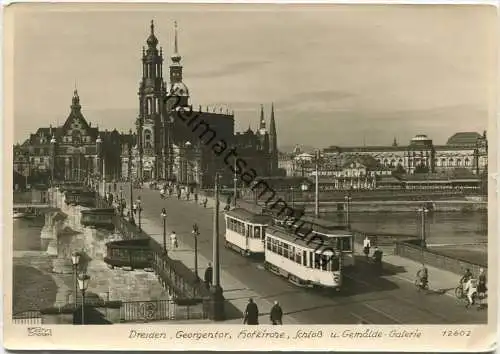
(217, 297)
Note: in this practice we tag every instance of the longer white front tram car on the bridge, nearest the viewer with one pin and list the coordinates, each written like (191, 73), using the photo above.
(306, 263)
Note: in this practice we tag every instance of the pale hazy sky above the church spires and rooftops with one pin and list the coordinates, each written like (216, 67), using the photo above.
(339, 75)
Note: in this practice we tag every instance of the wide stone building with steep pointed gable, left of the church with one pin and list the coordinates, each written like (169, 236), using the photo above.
(75, 151)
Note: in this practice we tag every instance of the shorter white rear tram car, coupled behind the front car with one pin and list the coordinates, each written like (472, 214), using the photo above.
(245, 231)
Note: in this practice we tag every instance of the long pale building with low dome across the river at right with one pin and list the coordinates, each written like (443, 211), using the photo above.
(461, 161)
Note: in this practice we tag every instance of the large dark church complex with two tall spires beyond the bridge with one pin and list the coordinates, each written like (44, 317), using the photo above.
(171, 135)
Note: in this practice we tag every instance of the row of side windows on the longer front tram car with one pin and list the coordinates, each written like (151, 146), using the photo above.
(306, 258)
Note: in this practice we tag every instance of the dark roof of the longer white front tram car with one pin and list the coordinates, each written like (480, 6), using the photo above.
(311, 242)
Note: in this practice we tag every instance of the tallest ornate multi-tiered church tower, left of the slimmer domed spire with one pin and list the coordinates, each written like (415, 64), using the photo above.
(151, 93)
